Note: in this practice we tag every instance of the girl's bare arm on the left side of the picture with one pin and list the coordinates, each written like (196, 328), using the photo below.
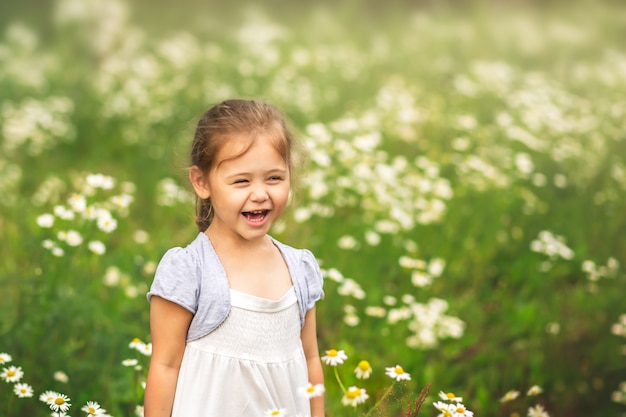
(169, 323)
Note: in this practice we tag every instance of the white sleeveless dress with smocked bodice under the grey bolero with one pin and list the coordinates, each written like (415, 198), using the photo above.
(252, 363)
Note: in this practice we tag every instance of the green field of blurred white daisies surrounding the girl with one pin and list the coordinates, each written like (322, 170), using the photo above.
(463, 184)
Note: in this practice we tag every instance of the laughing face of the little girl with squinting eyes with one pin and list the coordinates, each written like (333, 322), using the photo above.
(248, 191)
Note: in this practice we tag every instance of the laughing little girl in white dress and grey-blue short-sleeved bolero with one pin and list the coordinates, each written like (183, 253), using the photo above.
(232, 315)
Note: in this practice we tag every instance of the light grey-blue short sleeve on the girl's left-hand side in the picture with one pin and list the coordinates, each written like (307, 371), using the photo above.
(176, 279)
